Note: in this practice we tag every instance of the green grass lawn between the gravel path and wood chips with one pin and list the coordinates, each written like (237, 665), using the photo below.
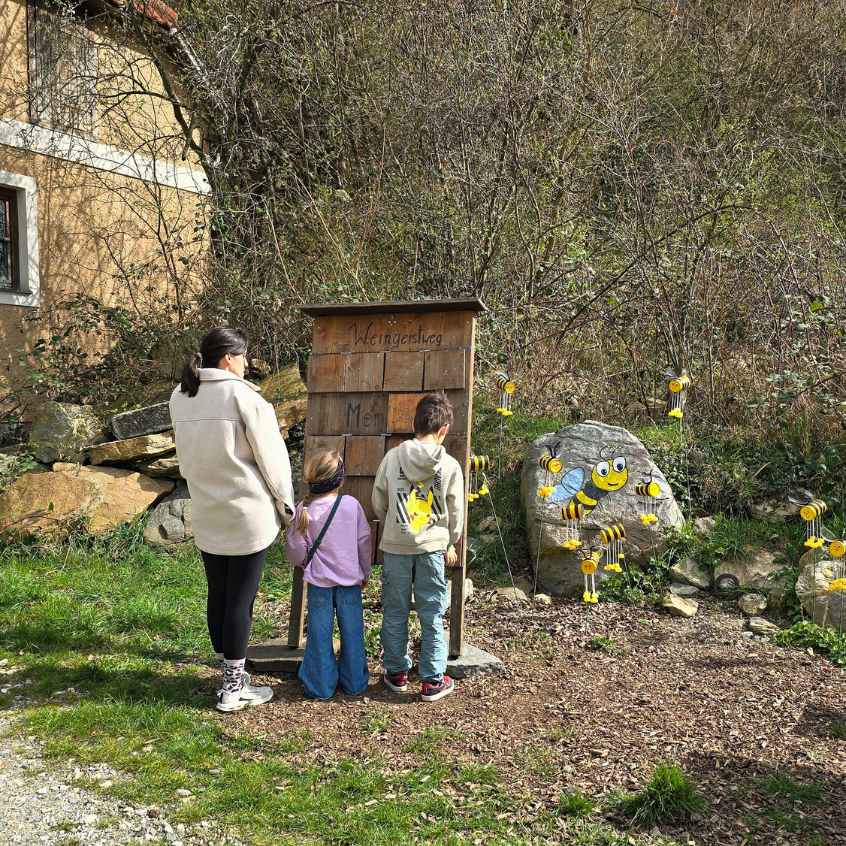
(111, 638)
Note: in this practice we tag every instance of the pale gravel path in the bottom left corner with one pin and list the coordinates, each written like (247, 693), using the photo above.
(45, 803)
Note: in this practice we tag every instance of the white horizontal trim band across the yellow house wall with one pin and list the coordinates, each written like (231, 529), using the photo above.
(72, 148)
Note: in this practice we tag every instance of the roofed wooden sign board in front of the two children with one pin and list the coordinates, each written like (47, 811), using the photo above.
(370, 365)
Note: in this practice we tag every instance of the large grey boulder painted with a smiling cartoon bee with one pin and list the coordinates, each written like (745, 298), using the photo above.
(612, 461)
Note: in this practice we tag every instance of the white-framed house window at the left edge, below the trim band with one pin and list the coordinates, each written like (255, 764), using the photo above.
(19, 272)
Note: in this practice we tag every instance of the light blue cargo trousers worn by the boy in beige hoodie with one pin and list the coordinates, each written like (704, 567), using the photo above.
(426, 573)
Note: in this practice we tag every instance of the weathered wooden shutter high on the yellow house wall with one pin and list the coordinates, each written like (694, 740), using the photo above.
(63, 69)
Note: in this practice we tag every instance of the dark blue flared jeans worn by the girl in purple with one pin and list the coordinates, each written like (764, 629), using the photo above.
(321, 671)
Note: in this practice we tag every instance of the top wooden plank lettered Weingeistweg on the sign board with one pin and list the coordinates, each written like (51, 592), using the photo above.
(400, 332)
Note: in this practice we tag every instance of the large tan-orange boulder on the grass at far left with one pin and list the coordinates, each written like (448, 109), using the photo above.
(44, 502)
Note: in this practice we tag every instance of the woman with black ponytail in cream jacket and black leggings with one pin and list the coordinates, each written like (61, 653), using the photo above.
(235, 462)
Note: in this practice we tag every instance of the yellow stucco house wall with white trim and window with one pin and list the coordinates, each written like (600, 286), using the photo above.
(103, 203)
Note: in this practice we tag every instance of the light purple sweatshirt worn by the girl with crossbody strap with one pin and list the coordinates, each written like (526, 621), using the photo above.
(343, 557)
